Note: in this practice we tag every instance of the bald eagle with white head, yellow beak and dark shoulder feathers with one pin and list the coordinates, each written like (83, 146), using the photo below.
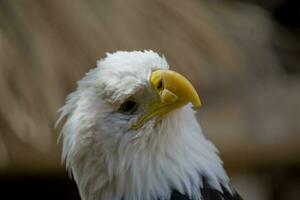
(130, 133)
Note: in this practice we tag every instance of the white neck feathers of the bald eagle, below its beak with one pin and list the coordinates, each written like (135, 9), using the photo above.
(177, 158)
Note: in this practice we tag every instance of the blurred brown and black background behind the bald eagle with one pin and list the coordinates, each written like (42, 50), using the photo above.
(243, 57)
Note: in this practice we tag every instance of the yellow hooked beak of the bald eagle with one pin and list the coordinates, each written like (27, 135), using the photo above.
(173, 91)
